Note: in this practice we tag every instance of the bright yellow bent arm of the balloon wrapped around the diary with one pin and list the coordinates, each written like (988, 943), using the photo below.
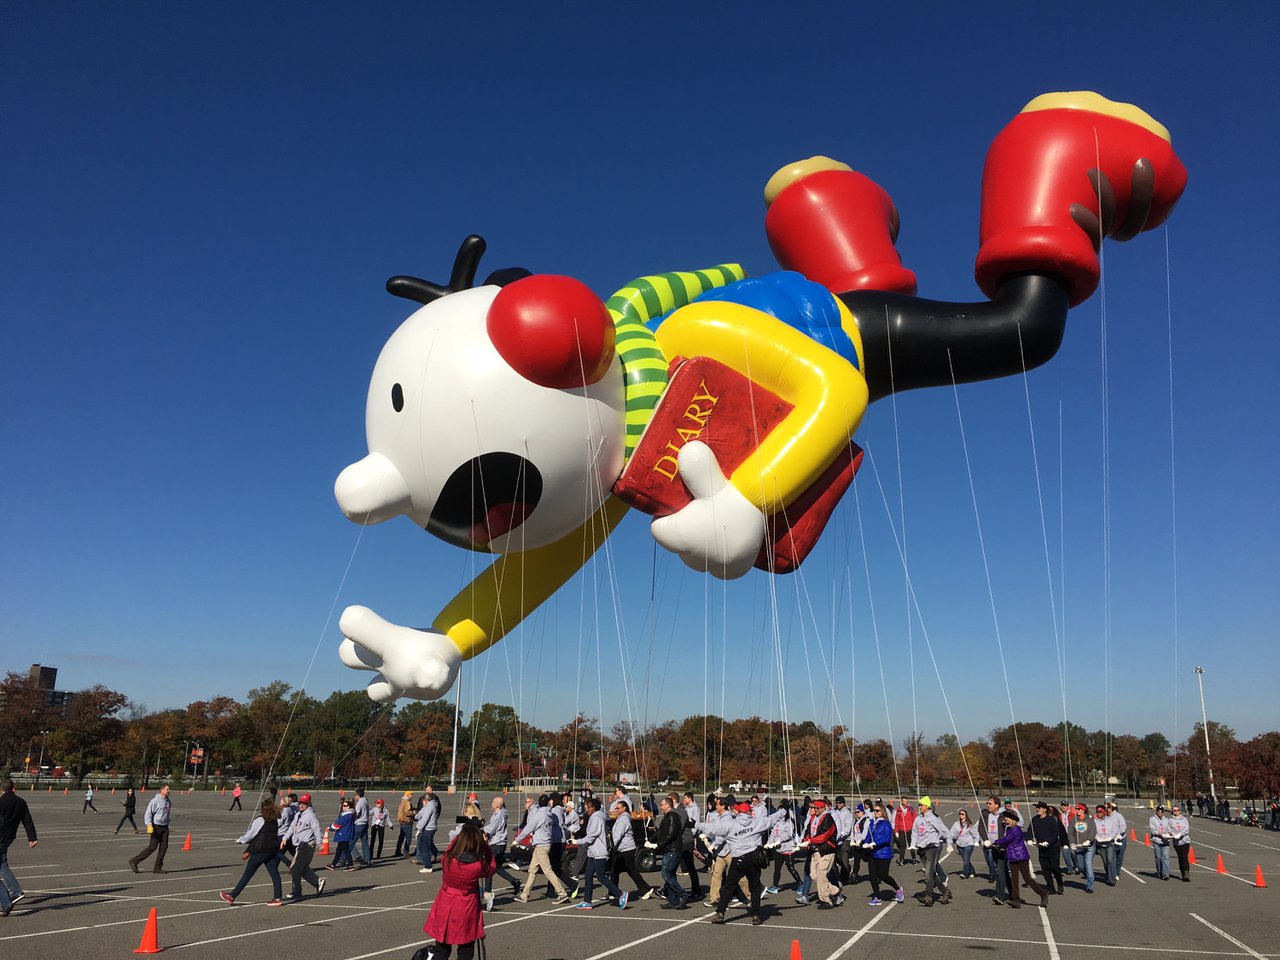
(828, 392)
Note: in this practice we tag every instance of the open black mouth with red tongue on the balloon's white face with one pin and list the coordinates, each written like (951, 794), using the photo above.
(486, 499)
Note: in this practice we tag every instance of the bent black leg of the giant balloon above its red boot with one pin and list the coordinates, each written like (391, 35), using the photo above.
(1017, 331)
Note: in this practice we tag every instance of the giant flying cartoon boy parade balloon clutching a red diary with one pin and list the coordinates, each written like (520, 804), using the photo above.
(524, 417)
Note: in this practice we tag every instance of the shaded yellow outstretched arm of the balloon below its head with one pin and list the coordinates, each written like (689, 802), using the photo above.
(516, 584)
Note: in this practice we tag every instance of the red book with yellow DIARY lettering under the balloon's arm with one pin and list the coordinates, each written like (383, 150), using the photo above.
(711, 403)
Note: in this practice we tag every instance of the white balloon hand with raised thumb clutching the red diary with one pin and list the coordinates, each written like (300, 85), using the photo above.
(720, 532)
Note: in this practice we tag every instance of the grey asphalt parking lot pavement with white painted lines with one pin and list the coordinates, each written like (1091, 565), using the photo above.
(85, 902)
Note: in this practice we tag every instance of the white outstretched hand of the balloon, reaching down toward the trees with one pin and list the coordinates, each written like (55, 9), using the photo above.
(415, 664)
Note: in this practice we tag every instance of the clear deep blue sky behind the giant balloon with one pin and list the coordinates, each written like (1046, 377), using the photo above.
(202, 207)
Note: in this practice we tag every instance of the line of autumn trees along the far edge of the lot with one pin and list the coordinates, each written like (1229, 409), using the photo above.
(280, 734)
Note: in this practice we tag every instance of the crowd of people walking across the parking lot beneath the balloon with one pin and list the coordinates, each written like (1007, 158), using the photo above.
(730, 851)
